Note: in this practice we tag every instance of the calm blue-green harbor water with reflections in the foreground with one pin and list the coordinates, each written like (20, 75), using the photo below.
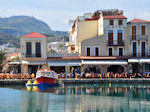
(76, 98)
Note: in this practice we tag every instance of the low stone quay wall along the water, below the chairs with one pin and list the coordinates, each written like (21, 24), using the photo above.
(83, 81)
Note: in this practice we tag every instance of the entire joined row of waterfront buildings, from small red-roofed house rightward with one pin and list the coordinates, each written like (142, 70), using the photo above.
(99, 42)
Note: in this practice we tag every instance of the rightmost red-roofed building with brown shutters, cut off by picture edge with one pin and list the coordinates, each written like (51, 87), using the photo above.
(139, 45)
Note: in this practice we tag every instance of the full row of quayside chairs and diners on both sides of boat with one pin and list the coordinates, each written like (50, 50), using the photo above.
(83, 75)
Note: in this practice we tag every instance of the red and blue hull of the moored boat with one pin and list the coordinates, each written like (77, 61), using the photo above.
(47, 81)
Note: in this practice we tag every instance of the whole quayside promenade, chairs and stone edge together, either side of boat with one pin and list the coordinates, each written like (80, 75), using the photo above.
(15, 79)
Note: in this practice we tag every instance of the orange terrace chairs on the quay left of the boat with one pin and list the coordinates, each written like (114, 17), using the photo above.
(16, 76)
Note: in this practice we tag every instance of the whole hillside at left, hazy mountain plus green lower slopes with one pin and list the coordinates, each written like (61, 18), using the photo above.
(13, 27)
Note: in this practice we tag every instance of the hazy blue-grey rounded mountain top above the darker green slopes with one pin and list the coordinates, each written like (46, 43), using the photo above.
(21, 25)
